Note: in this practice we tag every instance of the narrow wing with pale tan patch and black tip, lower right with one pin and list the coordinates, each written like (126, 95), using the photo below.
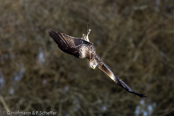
(102, 66)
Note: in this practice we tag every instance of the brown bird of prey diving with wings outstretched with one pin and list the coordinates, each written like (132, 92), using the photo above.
(83, 48)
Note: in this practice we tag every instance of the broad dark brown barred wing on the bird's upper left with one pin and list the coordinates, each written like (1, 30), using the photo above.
(67, 43)
